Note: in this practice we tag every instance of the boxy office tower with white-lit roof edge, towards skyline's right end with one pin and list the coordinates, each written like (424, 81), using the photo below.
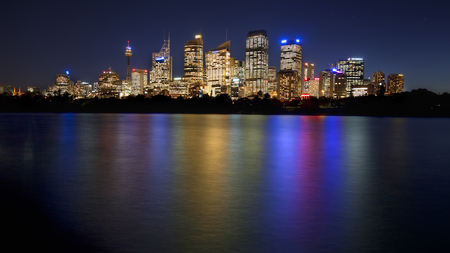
(353, 68)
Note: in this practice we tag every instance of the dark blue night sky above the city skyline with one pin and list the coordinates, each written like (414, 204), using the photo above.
(42, 39)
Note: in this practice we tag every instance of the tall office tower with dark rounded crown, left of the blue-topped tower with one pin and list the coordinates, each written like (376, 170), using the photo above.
(256, 62)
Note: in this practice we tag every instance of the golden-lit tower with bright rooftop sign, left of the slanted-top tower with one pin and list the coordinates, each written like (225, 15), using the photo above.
(193, 60)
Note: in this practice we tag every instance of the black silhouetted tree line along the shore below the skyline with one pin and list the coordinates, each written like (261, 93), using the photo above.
(421, 102)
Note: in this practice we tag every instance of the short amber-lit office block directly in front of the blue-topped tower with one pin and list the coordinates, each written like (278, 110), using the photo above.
(288, 84)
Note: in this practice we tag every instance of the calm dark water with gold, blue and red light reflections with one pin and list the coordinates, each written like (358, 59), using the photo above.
(226, 183)
